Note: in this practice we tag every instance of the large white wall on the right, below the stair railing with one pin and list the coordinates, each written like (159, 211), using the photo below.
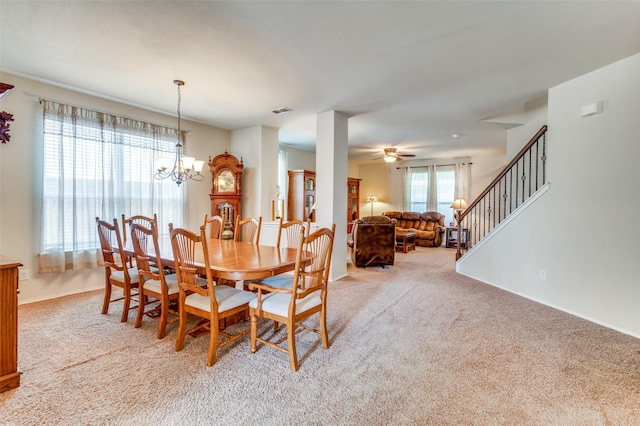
(571, 232)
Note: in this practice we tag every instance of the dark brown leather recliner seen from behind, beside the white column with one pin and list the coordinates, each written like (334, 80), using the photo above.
(373, 241)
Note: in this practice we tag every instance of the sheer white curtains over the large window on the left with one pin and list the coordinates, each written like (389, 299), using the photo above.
(98, 165)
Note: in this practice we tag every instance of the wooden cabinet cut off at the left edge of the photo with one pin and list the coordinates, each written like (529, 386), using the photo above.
(9, 375)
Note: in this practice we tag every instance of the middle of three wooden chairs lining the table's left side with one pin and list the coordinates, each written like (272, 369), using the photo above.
(153, 283)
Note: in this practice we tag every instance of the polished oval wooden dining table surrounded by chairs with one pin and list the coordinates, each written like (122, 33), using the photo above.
(233, 260)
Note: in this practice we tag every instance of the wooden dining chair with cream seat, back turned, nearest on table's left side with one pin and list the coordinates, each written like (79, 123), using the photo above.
(213, 302)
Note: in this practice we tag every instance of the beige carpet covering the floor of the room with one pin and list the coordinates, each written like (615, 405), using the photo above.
(410, 344)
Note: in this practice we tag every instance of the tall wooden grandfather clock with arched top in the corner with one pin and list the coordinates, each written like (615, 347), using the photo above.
(226, 190)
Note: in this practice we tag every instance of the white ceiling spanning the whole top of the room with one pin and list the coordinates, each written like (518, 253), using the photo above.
(409, 74)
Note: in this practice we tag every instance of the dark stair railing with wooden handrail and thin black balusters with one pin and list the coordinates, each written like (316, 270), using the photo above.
(520, 179)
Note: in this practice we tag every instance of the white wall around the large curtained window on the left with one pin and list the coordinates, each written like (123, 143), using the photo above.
(20, 179)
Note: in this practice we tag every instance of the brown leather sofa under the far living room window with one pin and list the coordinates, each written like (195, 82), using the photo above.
(429, 226)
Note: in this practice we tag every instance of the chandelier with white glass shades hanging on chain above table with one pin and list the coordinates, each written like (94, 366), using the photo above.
(184, 168)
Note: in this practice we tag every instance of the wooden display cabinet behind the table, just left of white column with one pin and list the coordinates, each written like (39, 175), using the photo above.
(302, 195)
